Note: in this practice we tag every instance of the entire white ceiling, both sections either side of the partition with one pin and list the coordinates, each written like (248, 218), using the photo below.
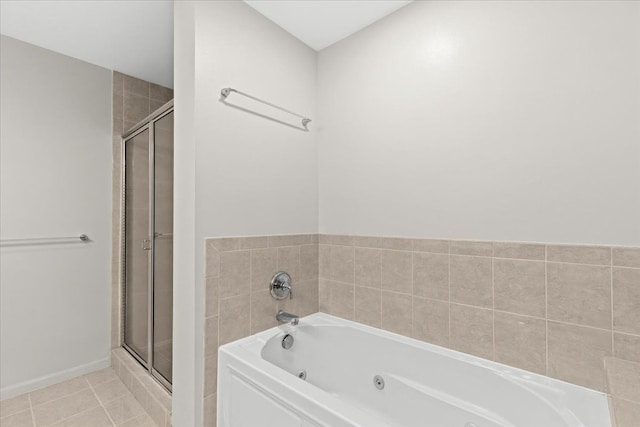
(136, 36)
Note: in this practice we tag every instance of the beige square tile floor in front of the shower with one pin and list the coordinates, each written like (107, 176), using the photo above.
(98, 399)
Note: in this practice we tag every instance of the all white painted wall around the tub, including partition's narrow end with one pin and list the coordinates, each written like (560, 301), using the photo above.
(492, 120)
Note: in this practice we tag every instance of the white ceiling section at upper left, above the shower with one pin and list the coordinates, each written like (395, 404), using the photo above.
(133, 36)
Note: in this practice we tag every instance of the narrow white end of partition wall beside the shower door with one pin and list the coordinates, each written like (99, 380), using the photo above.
(188, 333)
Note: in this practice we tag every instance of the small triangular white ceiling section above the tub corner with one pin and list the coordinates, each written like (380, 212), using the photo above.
(320, 23)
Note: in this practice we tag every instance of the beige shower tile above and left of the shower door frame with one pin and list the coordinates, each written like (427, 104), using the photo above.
(133, 100)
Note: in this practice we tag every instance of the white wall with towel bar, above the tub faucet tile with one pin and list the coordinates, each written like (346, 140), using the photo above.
(254, 176)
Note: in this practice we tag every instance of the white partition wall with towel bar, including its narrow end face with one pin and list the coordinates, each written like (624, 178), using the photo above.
(252, 175)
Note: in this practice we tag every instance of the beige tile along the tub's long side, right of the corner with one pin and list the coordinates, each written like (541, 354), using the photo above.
(557, 310)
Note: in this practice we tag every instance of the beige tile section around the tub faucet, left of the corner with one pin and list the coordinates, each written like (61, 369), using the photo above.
(237, 299)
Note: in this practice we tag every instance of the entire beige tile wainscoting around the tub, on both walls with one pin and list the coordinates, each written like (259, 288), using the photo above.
(558, 310)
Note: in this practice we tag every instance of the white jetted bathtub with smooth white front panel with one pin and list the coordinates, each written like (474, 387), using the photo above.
(424, 385)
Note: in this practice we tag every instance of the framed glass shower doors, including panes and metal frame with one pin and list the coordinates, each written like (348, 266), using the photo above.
(147, 252)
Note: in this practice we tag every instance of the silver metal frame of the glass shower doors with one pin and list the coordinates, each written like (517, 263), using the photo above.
(148, 123)
